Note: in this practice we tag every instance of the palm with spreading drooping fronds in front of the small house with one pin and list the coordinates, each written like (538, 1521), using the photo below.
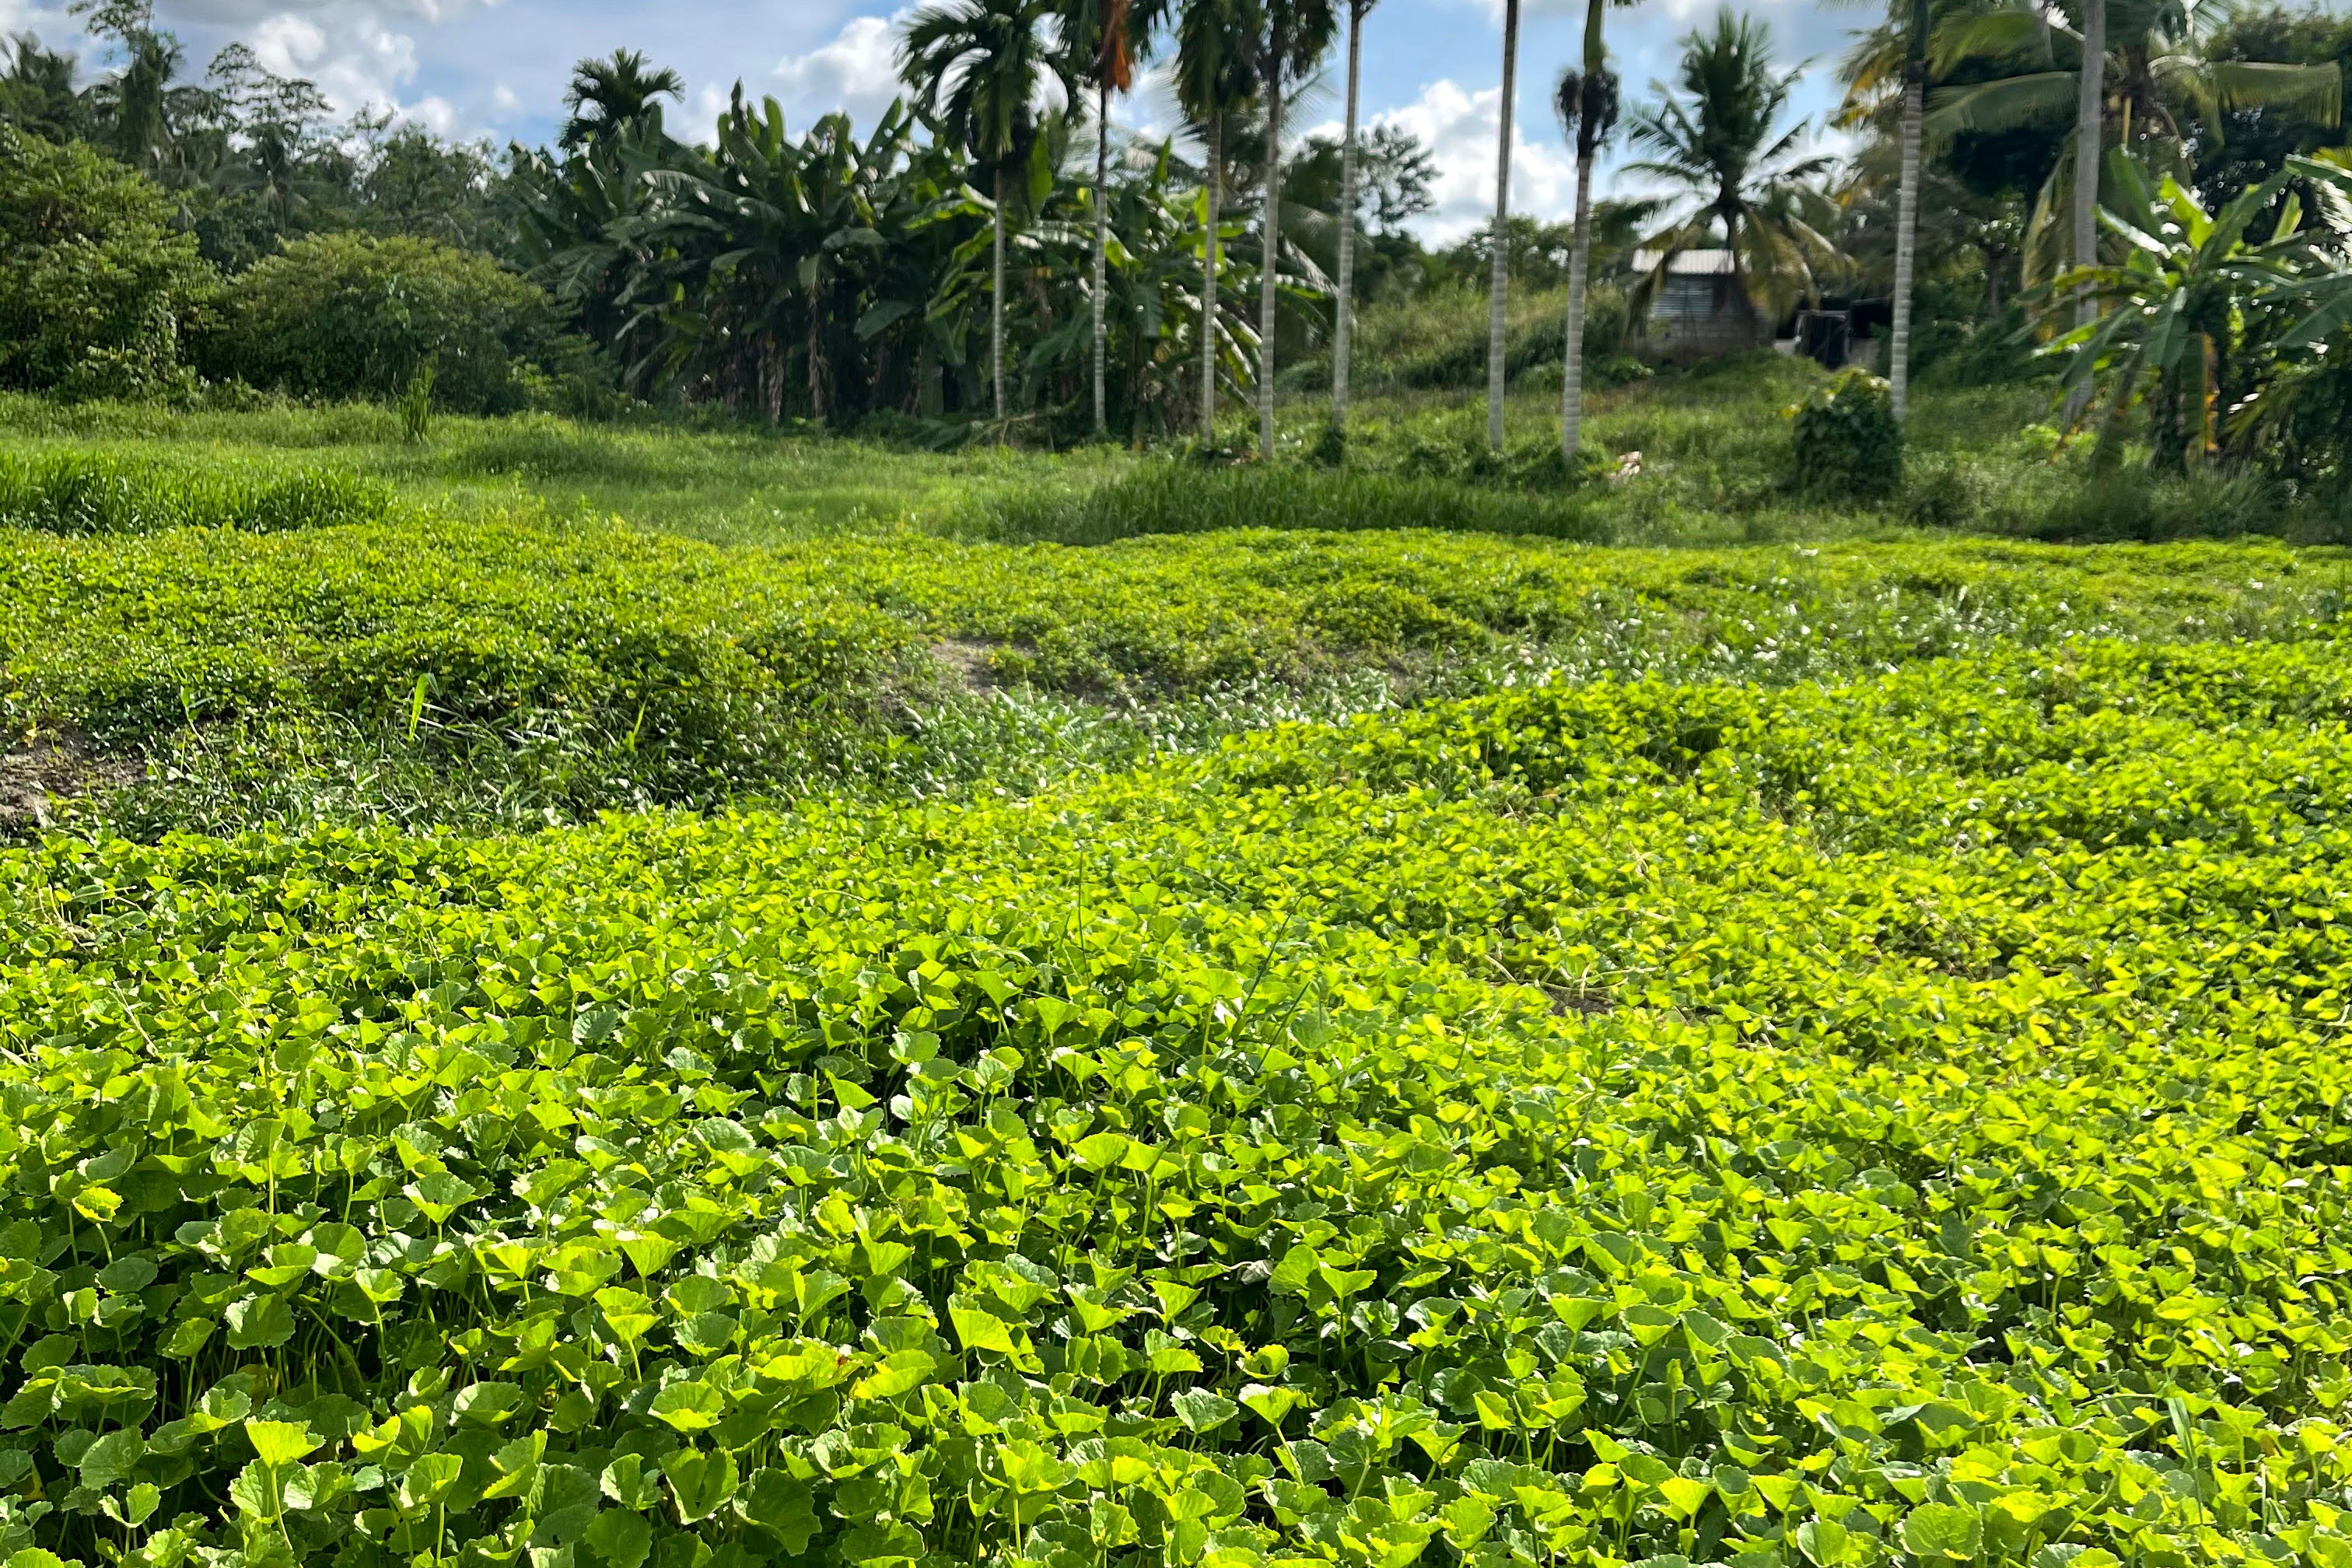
(1720, 142)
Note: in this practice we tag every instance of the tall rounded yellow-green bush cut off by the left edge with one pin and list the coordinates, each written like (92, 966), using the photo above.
(98, 290)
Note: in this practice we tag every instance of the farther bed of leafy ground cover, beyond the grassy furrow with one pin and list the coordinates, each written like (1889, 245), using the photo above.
(450, 669)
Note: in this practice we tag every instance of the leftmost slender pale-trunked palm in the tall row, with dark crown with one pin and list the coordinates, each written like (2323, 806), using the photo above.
(980, 69)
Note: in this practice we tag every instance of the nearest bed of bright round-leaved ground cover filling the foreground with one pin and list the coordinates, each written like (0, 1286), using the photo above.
(1885, 1123)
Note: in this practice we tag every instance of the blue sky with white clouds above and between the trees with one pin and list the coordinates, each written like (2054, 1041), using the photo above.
(497, 67)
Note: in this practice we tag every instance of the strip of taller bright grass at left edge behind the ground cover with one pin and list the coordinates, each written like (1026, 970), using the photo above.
(88, 492)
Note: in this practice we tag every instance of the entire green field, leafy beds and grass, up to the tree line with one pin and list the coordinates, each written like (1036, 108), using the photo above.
(895, 1043)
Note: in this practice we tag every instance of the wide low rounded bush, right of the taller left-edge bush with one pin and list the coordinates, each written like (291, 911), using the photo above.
(347, 316)
